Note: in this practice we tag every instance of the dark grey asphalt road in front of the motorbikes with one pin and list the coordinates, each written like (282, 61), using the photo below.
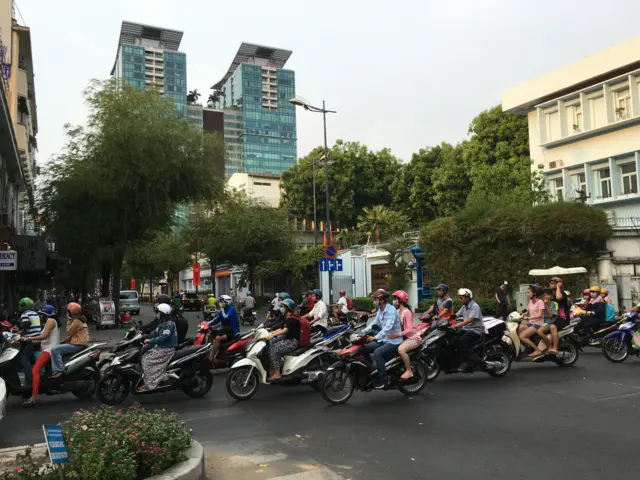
(540, 421)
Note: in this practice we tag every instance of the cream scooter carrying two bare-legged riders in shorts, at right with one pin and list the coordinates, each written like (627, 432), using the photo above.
(569, 345)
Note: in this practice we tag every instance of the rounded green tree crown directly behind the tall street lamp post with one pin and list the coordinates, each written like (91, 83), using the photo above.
(358, 178)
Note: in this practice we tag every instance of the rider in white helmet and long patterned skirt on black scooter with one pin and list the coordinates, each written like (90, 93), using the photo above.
(158, 349)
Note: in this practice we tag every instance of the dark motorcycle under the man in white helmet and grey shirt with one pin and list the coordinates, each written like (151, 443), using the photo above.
(493, 352)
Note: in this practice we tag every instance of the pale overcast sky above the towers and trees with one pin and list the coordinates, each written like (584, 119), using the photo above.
(401, 74)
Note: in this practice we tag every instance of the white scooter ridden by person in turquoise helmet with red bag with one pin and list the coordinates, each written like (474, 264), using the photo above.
(247, 374)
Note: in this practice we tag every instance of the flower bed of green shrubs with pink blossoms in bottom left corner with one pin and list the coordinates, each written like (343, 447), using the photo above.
(110, 444)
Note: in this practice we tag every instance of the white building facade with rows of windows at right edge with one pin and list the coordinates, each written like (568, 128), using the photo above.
(584, 134)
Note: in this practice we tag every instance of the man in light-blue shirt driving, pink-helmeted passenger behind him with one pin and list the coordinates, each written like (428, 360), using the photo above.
(380, 346)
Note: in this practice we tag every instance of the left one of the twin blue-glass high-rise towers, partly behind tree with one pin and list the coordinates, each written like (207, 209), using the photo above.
(148, 57)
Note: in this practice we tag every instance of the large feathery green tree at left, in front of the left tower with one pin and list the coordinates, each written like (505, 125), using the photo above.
(137, 159)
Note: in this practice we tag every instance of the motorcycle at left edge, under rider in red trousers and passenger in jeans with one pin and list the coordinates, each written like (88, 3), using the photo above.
(80, 377)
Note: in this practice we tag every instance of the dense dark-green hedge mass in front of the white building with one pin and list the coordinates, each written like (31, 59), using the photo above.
(485, 243)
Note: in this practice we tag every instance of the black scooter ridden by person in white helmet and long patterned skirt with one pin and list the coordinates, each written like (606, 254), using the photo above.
(188, 371)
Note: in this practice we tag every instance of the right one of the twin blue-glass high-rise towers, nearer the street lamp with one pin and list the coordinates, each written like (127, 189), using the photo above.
(259, 121)
